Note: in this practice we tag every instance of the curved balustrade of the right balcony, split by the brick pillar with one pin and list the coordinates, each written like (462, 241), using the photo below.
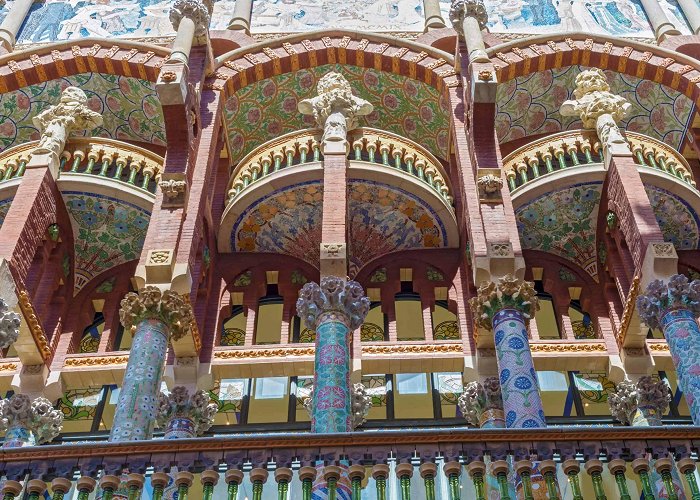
(578, 148)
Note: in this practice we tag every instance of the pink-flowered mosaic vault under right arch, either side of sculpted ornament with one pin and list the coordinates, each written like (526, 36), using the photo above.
(530, 104)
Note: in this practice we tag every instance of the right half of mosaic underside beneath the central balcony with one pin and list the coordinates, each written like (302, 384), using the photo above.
(385, 219)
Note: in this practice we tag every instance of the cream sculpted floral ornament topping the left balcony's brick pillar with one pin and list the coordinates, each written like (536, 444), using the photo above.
(56, 123)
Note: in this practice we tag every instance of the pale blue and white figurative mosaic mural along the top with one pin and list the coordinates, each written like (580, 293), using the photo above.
(69, 19)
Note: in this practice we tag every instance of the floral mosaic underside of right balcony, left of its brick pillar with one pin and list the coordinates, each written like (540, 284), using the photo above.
(564, 223)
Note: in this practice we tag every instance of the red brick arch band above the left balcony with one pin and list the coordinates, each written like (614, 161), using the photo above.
(49, 62)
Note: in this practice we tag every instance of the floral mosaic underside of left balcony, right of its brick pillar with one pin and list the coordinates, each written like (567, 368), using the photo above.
(107, 232)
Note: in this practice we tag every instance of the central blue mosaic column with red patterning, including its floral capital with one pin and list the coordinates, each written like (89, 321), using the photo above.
(334, 309)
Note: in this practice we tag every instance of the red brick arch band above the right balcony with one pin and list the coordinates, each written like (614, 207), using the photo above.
(524, 57)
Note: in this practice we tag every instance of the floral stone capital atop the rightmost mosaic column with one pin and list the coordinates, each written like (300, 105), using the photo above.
(660, 297)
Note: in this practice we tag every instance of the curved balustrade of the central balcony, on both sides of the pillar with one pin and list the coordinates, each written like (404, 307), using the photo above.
(366, 144)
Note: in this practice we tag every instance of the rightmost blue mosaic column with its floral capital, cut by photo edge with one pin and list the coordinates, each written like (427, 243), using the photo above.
(674, 307)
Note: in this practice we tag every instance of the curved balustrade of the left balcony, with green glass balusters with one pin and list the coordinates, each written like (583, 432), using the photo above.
(106, 158)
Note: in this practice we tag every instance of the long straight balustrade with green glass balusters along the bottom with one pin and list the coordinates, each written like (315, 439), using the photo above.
(445, 464)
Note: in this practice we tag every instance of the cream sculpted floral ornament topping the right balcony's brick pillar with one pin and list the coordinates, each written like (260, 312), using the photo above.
(598, 108)
